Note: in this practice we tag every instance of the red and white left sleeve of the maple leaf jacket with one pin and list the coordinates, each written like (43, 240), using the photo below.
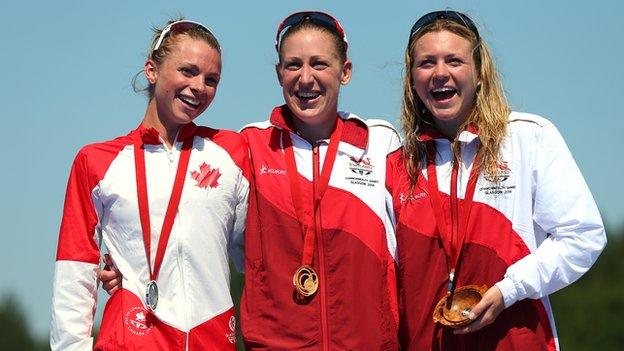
(77, 258)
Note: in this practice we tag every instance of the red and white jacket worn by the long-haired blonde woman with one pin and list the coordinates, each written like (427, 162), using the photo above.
(534, 232)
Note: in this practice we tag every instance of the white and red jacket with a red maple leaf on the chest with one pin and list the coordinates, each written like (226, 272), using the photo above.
(195, 311)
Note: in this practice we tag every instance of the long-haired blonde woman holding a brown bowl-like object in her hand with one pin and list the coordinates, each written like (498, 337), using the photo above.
(493, 213)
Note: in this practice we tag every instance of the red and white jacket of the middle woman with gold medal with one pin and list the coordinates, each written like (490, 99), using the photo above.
(355, 306)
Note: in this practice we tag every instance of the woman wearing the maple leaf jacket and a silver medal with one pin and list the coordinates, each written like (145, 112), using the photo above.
(168, 201)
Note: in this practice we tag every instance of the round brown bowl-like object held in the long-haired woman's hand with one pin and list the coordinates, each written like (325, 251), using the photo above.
(453, 309)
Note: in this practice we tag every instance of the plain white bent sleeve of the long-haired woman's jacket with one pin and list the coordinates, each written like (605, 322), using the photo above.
(563, 209)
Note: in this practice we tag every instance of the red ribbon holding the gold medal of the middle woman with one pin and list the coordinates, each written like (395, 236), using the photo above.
(308, 227)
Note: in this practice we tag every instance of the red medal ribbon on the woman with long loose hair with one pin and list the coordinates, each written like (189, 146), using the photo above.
(454, 242)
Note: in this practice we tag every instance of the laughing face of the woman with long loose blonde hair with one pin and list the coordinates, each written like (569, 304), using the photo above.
(445, 78)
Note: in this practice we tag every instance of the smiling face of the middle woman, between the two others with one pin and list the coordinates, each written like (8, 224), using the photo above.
(310, 72)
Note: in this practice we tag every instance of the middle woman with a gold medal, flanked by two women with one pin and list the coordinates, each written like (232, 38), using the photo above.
(319, 243)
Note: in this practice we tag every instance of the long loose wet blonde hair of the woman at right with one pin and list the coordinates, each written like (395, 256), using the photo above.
(489, 113)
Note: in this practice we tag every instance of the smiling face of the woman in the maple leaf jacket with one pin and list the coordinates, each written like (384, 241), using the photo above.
(185, 83)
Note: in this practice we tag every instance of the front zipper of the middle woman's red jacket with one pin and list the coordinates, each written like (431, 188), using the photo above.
(321, 251)
